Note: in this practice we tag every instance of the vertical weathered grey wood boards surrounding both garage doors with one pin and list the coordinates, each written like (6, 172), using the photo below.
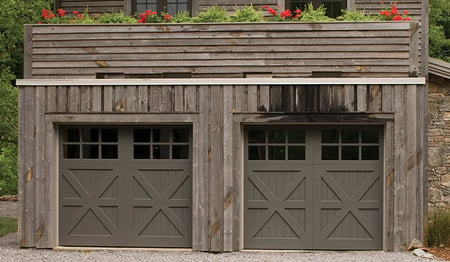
(217, 112)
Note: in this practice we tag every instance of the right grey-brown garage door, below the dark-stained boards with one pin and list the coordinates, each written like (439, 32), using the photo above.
(314, 187)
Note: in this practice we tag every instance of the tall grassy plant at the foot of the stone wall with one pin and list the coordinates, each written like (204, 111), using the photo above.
(438, 229)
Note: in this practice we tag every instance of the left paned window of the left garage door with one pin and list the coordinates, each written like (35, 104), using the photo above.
(90, 143)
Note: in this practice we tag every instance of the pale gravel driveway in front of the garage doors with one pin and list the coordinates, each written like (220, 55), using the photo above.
(9, 251)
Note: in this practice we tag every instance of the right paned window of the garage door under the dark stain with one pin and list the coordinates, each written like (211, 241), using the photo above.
(350, 144)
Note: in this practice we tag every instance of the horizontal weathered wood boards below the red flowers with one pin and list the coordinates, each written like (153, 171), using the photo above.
(222, 50)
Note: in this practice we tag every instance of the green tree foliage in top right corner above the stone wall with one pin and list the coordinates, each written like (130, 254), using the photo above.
(439, 30)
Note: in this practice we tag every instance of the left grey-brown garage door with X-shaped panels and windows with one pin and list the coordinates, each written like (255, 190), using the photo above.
(125, 186)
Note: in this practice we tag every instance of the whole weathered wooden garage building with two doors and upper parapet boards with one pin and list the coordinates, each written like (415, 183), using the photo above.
(223, 137)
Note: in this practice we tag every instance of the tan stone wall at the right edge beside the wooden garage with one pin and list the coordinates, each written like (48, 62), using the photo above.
(439, 143)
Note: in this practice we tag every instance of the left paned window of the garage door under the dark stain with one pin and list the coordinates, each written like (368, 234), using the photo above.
(276, 144)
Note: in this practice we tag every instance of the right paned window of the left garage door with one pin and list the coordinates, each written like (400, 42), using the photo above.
(161, 143)
